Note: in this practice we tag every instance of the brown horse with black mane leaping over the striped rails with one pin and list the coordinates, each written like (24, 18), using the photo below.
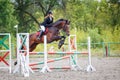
(53, 34)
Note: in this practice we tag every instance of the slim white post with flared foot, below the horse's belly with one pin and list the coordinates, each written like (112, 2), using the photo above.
(45, 68)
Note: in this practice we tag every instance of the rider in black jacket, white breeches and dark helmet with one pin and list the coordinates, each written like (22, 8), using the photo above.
(48, 20)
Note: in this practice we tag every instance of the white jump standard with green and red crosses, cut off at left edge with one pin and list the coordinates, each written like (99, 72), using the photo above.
(5, 44)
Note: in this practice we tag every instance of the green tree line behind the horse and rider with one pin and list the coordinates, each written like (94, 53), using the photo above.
(89, 16)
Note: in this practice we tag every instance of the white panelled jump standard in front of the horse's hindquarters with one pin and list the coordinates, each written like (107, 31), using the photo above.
(23, 54)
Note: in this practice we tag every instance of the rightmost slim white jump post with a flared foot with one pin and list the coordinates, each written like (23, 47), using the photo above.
(90, 68)
